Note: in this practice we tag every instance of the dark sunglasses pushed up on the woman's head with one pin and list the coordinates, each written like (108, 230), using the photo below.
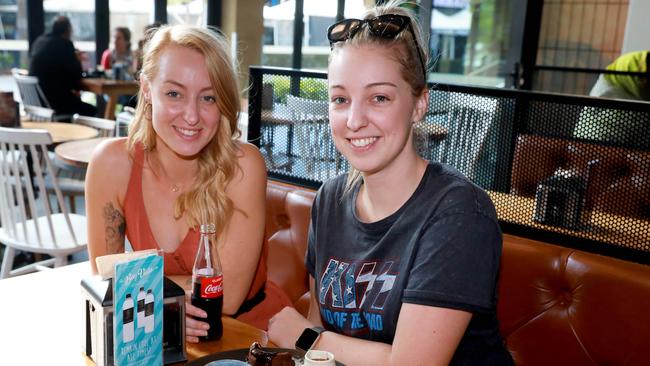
(383, 26)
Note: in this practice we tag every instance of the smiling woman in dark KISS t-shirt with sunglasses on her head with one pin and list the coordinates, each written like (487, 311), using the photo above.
(409, 276)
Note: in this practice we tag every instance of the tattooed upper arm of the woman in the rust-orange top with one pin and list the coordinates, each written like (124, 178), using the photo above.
(106, 181)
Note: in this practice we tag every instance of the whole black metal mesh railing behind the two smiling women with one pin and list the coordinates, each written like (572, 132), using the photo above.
(566, 169)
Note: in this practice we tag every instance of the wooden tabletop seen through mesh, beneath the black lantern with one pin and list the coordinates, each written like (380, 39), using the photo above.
(605, 227)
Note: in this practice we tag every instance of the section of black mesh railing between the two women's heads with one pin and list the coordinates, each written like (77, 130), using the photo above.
(294, 128)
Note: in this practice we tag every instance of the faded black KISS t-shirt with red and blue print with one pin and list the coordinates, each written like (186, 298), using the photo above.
(441, 248)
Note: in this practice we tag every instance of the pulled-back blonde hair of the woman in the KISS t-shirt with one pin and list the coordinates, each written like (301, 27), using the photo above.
(406, 54)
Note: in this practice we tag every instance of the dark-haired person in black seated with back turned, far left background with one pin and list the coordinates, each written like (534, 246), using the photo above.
(55, 62)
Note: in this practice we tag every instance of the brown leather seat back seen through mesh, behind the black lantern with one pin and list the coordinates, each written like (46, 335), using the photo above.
(619, 183)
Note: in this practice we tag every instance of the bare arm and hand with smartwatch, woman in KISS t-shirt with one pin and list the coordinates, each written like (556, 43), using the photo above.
(425, 335)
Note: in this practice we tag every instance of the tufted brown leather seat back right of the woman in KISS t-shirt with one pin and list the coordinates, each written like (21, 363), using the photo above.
(560, 306)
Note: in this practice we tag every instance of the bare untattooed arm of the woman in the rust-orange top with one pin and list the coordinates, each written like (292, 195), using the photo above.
(241, 246)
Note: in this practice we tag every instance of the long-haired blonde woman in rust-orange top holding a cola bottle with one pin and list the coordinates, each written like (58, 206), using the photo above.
(182, 165)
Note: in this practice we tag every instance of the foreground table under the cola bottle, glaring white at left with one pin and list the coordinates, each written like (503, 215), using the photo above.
(41, 318)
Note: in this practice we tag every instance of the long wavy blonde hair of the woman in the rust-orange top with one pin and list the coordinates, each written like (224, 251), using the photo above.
(205, 201)
